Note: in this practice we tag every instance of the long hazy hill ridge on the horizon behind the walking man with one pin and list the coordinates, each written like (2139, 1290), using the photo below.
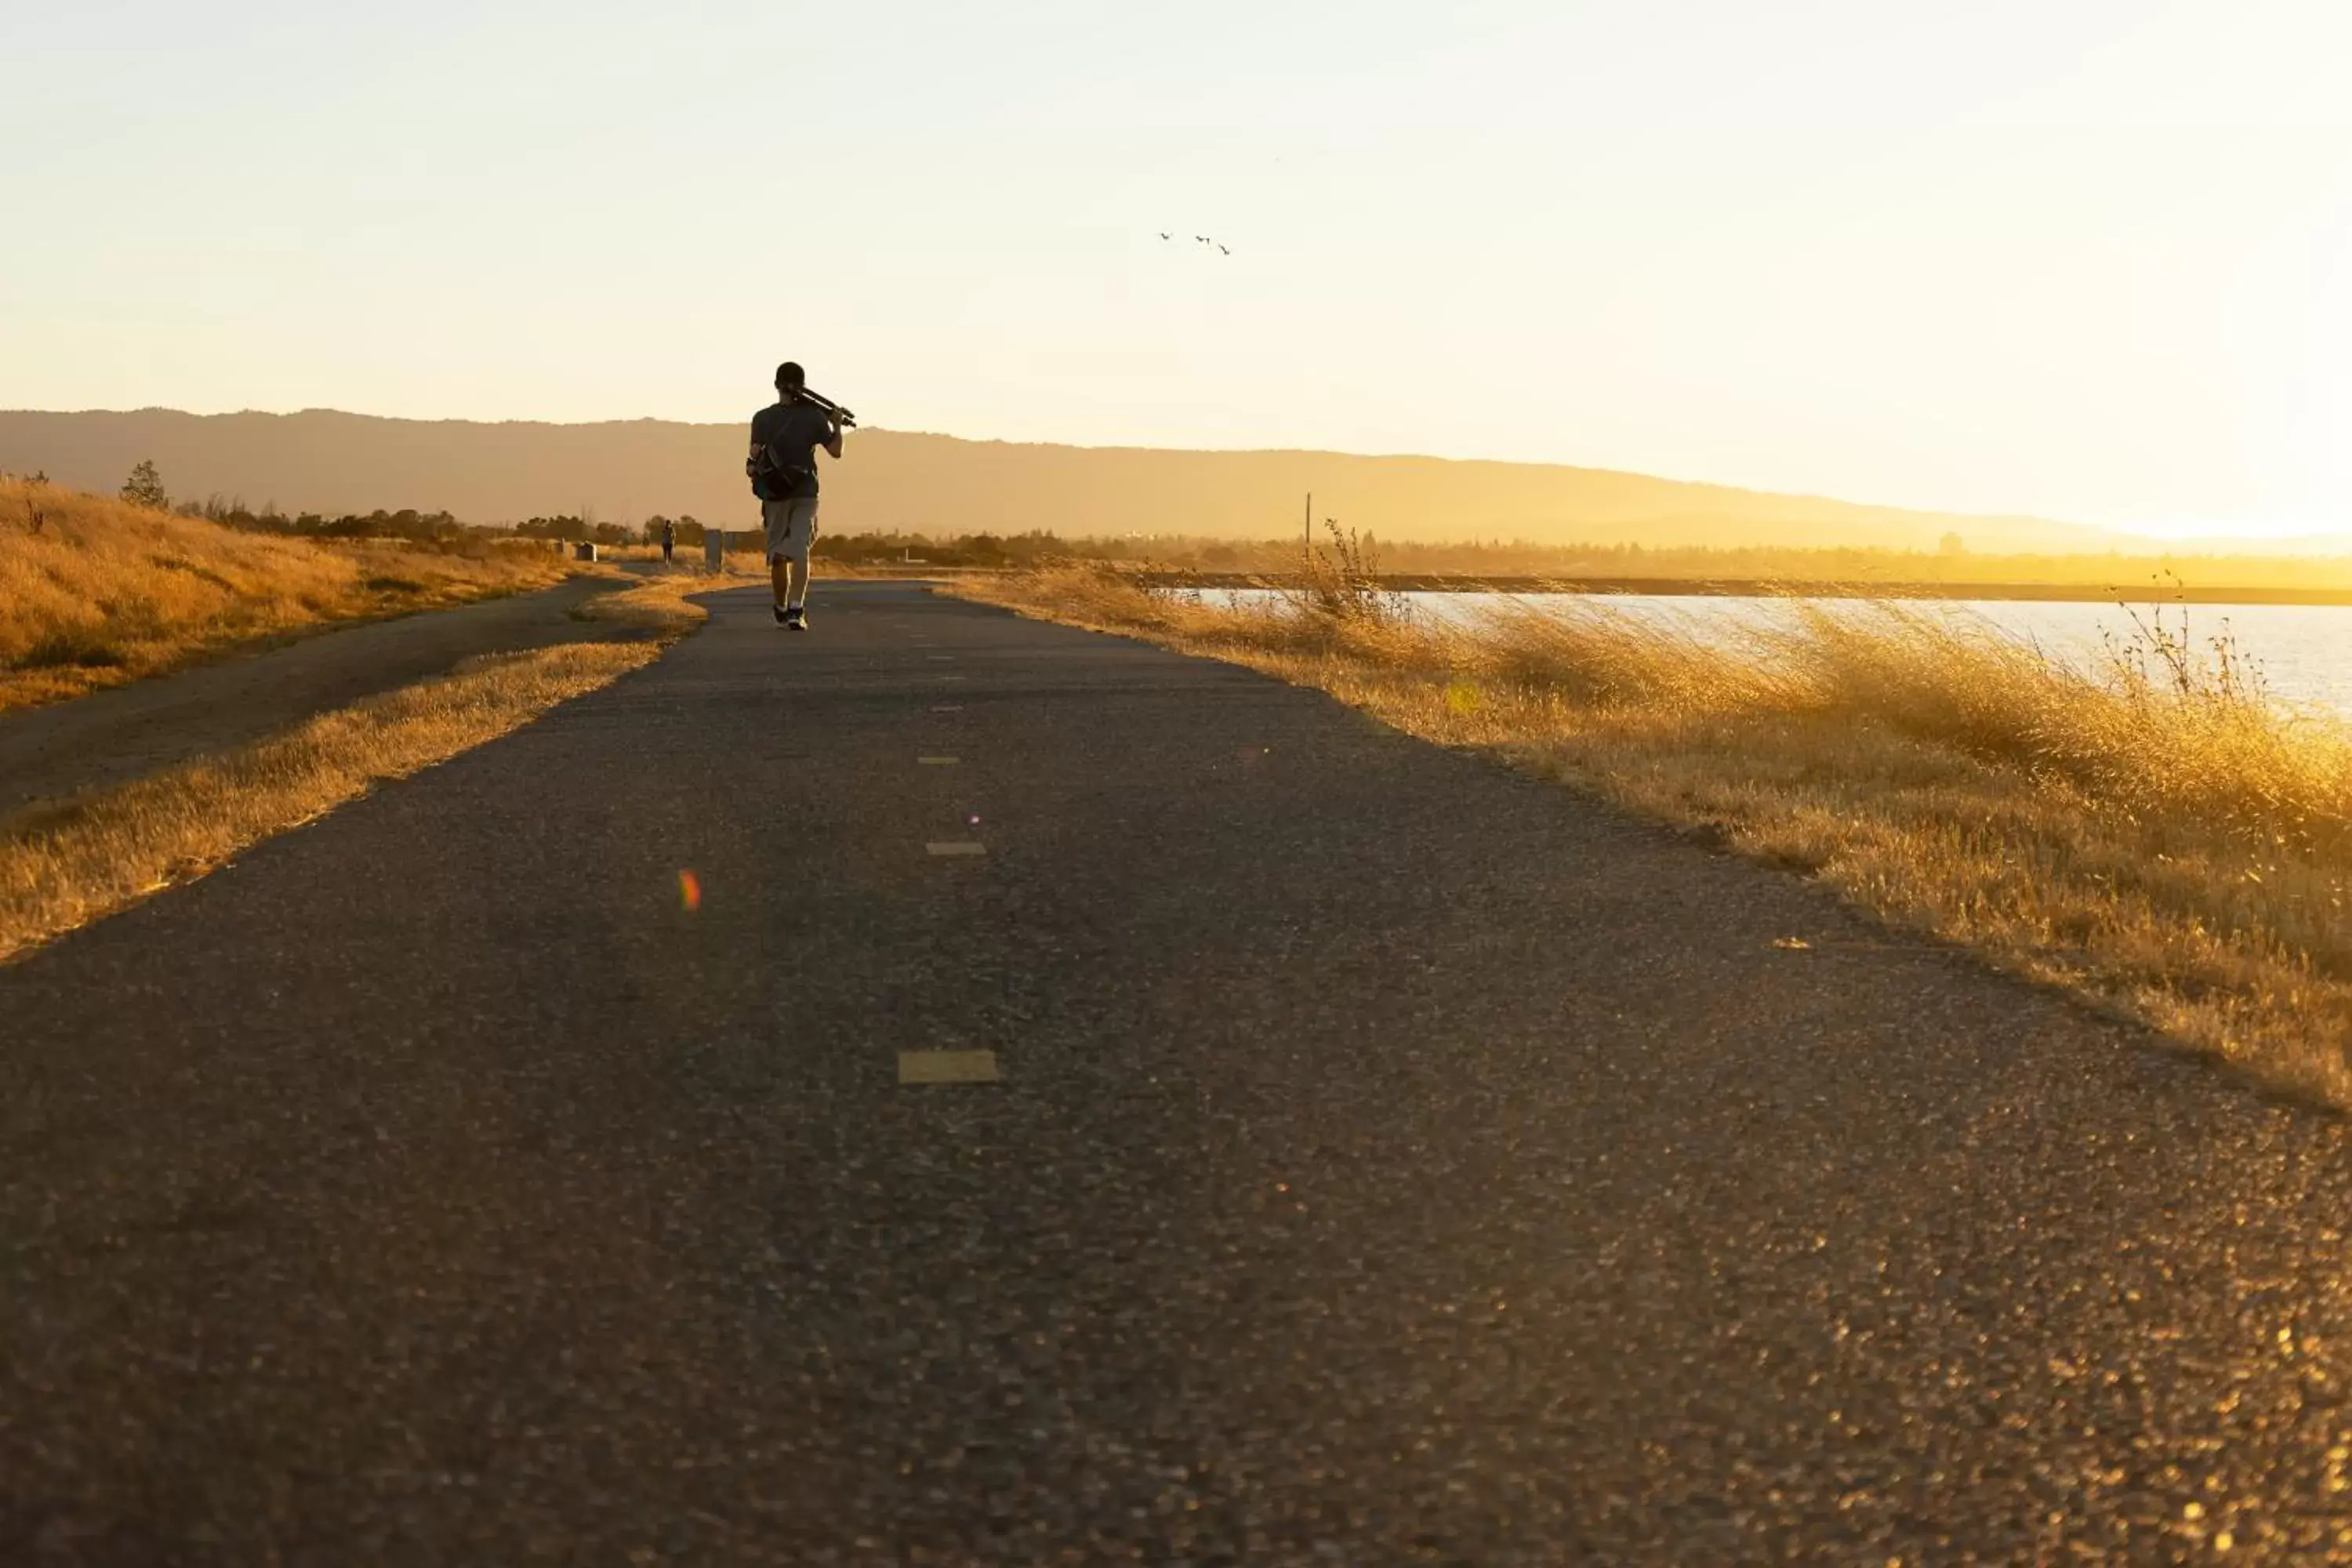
(326, 462)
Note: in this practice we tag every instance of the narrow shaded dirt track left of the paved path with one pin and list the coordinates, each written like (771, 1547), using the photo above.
(131, 732)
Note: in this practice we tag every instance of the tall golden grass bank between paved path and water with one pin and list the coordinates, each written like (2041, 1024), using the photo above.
(2156, 838)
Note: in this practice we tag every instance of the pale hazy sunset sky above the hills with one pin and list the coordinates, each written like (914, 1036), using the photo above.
(2076, 257)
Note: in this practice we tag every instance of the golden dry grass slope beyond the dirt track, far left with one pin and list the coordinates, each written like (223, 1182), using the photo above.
(105, 591)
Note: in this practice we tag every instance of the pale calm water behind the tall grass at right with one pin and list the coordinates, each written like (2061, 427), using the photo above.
(2304, 650)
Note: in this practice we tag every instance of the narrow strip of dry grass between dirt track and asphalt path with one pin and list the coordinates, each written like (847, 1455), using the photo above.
(69, 864)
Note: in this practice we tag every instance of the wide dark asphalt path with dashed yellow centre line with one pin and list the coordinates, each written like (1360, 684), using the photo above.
(1396, 1162)
